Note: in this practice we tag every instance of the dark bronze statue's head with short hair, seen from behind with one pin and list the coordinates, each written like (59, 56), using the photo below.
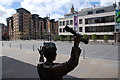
(49, 50)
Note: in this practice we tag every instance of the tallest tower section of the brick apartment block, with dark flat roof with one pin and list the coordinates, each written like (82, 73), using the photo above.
(22, 23)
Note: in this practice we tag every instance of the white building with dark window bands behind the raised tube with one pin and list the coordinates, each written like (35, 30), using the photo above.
(96, 20)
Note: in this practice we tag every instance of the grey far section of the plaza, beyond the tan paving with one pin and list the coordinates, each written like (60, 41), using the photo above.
(95, 50)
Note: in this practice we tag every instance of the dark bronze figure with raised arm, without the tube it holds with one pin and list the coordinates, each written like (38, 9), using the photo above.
(55, 71)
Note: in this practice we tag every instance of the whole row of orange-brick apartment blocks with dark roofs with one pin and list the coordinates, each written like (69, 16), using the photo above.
(24, 25)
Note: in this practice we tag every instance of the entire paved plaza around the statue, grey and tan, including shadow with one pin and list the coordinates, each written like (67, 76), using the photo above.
(21, 57)
